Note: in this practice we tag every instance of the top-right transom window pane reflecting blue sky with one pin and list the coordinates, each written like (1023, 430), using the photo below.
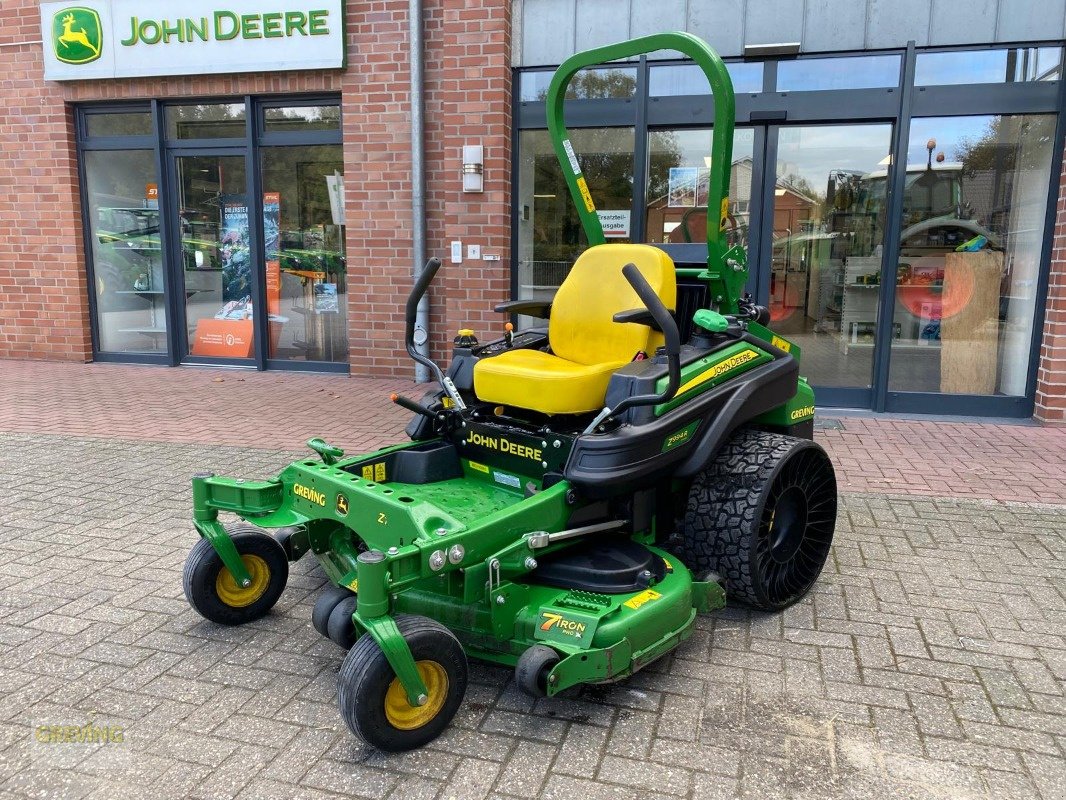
(1015, 66)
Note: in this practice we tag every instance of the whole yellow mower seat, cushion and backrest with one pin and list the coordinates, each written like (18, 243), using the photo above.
(588, 345)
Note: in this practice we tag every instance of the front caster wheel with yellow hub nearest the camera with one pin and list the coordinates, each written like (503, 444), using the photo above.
(373, 700)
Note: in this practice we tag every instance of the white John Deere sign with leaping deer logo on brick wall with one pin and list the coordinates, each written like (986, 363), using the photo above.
(130, 39)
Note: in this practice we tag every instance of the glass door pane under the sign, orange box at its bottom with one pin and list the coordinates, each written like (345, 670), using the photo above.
(216, 257)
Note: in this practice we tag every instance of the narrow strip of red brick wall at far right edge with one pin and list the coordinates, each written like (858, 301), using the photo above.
(1052, 377)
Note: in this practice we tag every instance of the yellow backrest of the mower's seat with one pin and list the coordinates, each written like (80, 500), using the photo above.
(582, 328)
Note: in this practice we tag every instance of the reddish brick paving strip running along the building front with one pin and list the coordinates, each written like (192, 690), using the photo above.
(281, 411)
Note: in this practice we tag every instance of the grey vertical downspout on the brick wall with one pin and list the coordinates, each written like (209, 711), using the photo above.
(418, 180)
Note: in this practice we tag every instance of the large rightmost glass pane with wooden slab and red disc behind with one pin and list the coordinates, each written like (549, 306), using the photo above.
(970, 253)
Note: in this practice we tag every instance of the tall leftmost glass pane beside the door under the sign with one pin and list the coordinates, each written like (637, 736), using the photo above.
(123, 218)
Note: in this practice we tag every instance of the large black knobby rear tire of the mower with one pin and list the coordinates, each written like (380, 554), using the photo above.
(763, 516)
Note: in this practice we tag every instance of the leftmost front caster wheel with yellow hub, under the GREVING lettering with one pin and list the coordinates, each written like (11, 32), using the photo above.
(216, 595)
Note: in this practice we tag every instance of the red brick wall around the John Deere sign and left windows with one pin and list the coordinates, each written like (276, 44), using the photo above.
(44, 311)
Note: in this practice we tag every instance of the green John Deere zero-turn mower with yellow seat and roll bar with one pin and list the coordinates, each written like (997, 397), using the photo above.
(571, 498)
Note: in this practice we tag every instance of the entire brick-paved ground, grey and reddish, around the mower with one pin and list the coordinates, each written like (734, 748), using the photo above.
(929, 662)
